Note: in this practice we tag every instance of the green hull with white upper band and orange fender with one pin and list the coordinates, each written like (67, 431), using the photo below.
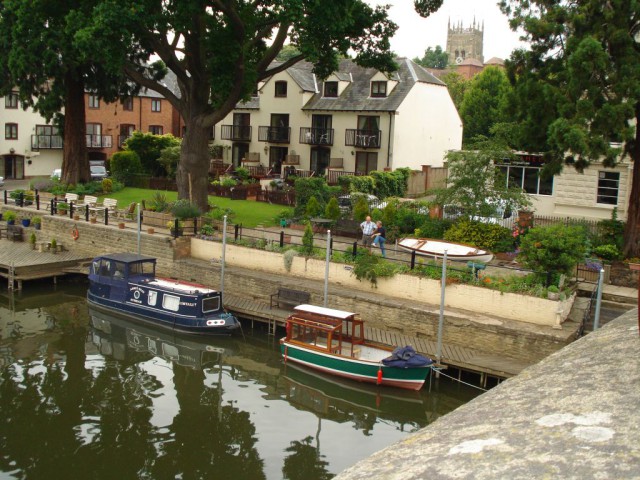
(355, 369)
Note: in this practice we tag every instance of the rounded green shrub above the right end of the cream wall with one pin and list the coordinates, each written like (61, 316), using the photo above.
(556, 249)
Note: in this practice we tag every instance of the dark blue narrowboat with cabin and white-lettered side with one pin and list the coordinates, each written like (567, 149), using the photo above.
(126, 284)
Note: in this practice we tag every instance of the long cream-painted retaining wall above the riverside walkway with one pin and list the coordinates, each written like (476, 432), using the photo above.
(523, 308)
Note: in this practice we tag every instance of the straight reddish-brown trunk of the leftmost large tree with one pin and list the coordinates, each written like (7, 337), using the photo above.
(75, 166)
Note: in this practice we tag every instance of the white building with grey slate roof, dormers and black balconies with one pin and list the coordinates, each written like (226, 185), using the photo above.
(357, 120)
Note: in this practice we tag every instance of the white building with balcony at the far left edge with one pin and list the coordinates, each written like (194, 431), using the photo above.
(22, 130)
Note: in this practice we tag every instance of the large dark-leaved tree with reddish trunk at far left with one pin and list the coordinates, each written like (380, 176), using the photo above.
(46, 58)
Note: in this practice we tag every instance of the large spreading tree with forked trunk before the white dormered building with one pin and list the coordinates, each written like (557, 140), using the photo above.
(220, 49)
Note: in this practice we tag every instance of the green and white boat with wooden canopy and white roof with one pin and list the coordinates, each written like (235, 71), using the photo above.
(332, 341)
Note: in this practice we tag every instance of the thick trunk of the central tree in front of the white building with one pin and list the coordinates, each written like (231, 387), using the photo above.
(192, 174)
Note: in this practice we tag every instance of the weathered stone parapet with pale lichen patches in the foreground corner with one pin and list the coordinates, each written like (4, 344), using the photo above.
(575, 415)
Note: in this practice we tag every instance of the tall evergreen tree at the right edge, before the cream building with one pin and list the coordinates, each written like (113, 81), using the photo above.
(583, 68)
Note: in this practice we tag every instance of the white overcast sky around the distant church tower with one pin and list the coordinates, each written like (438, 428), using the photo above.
(415, 33)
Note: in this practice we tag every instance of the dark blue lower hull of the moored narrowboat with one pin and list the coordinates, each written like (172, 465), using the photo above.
(154, 317)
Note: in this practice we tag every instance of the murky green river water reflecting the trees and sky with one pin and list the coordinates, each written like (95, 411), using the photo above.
(85, 395)
